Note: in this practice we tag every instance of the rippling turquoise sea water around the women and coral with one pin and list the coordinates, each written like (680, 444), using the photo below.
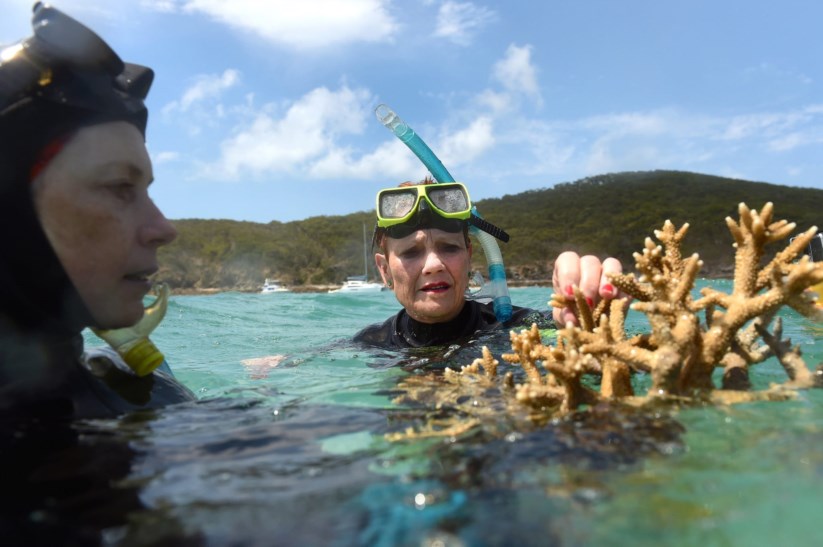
(296, 455)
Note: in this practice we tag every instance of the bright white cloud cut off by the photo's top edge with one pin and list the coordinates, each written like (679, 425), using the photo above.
(305, 24)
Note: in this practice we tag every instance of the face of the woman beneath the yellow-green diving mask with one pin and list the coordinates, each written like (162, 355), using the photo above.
(429, 272)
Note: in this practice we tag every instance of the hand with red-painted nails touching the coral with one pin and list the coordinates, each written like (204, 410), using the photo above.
(587, 273)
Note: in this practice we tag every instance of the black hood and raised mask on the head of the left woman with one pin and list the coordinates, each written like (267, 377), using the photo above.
(60, 79)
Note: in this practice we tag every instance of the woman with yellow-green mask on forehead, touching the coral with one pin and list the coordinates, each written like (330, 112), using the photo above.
(425, 258)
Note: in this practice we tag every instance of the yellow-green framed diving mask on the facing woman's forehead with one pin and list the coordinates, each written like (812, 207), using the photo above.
(397, 205)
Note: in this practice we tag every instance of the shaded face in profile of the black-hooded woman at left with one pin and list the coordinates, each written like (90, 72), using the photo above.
(93, 203)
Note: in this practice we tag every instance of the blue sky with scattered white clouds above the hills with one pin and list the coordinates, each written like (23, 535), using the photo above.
(264, 110)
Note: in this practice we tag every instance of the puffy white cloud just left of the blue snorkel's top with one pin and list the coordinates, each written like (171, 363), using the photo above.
(306, 133)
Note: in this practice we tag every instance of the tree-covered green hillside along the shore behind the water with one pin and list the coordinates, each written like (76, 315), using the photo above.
(604, 215)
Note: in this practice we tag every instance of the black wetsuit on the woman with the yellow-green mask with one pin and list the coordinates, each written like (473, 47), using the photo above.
(401, 331)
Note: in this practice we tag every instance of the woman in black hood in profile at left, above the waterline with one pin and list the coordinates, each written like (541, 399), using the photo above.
(81, 232)
